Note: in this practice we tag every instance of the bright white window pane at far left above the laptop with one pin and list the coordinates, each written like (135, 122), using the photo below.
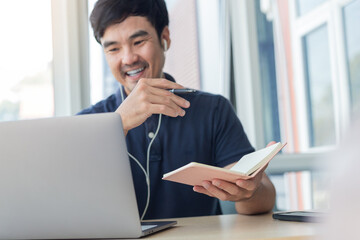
(26, 88)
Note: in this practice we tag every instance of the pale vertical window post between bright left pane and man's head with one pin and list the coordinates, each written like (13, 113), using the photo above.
(70, 56)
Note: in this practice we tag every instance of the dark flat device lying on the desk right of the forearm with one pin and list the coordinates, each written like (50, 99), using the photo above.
(300, 216)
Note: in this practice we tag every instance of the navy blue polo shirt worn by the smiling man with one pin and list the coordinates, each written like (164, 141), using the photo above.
(209, 133)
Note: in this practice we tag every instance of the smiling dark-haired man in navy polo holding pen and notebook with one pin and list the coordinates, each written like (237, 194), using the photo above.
(197, 127)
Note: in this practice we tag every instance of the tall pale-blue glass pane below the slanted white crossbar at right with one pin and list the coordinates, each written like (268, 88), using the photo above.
(319, 88)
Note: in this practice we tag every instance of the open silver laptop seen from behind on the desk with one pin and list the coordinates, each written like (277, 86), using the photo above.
(68, 177)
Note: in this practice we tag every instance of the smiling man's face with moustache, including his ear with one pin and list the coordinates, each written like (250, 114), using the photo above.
(133, 51)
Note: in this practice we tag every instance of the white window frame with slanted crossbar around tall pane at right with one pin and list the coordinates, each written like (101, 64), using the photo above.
(328, 13)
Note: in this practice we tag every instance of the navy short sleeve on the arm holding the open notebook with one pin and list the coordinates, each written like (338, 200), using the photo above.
(230, 140)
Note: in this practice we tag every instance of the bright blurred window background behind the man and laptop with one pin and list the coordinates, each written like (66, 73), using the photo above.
(291, 69)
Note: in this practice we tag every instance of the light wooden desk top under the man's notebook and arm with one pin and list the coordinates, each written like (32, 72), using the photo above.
(238, 227)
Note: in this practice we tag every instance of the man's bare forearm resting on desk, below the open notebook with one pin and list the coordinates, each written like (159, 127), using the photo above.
(262, 201)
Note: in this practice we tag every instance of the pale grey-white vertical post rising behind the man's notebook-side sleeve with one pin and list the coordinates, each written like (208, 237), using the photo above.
(247, 70)
